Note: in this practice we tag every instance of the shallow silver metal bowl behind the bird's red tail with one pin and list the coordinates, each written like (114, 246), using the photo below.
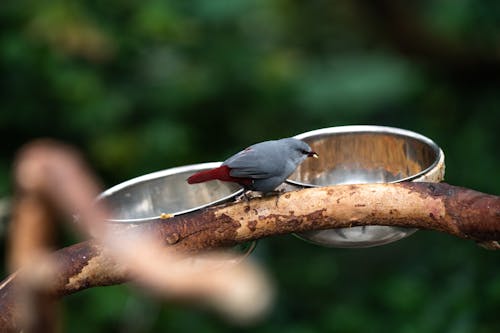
(147, 197)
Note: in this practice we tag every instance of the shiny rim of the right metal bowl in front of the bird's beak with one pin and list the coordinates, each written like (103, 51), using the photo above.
(373, 129)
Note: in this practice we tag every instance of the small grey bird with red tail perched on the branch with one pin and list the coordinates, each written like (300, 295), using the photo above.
(261, 167)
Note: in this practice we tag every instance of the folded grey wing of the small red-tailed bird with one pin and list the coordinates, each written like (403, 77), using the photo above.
(251, 163)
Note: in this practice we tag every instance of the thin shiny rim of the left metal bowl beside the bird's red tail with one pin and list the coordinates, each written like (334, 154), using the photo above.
(161, 174)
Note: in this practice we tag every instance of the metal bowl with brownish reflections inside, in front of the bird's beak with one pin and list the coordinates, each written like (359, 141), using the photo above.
(366, 154)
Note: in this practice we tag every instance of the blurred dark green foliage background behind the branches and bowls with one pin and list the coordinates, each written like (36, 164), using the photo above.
(139, 86)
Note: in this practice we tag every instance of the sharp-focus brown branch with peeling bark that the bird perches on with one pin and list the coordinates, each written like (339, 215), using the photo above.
(457, 211)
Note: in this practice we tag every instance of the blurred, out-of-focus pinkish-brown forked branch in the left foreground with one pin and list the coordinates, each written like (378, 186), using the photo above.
(51, 179)
